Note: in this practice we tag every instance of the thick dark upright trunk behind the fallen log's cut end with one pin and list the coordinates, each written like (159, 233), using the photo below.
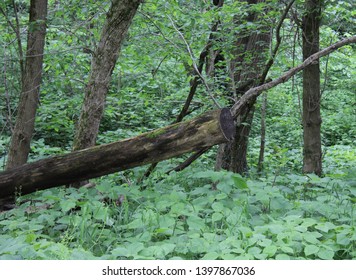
(233, 156)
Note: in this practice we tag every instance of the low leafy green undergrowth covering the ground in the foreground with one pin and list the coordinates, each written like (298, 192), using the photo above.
(193, 214)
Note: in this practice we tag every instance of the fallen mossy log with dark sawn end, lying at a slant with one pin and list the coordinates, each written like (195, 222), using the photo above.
(212, 128)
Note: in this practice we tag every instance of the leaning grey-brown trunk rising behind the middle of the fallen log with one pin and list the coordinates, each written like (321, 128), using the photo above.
(118, 20)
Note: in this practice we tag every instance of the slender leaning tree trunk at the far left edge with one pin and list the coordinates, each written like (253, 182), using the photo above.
(31, 80)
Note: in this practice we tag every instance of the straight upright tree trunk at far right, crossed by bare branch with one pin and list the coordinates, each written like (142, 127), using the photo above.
(311, 90)
